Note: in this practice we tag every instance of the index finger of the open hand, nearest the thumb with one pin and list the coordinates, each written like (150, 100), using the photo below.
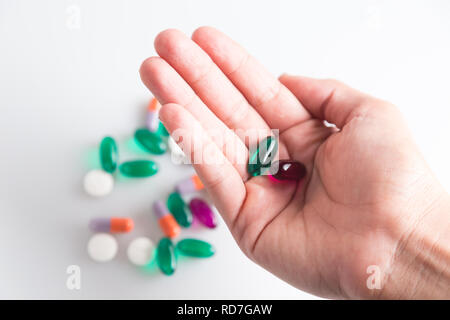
(277, 106)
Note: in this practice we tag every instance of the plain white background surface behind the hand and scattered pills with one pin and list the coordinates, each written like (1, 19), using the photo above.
(63, 88)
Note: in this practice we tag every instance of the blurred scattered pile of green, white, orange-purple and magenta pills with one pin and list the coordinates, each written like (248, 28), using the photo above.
(172, 214)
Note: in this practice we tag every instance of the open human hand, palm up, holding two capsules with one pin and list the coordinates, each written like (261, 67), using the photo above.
(369, 198)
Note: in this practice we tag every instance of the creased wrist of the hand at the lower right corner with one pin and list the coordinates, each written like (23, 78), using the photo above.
(420, 268)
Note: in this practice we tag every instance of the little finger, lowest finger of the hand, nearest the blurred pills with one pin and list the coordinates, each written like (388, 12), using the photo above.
(216, 172)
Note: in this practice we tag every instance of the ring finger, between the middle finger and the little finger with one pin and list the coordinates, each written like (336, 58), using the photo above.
(167, 86)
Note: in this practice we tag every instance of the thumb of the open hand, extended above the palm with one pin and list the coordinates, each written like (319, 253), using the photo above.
(326, 99)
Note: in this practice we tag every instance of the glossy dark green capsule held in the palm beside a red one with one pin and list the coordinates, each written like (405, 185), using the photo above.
(263, 156)
